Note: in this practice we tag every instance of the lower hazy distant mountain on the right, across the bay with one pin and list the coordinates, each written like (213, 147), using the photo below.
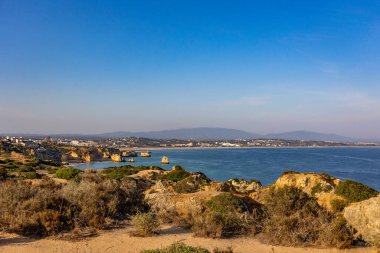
(309, 136)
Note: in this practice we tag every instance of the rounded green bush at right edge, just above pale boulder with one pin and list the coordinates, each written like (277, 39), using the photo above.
(355, 191)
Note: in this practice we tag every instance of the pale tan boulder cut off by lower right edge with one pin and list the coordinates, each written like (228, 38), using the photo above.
(364, 216)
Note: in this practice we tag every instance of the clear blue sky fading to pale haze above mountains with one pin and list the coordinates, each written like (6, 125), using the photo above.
(75, 66)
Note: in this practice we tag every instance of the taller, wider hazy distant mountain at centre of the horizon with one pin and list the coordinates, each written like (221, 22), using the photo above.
(200, 133)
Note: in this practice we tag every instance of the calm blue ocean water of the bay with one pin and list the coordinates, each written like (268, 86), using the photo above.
(267, 164)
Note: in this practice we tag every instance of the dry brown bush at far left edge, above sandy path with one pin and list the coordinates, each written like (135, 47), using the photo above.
(32, 210)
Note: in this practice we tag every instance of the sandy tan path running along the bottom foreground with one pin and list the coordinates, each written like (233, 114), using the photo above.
(120, 241)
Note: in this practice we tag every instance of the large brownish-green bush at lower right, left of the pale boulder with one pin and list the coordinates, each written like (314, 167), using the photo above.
(296, 219)
